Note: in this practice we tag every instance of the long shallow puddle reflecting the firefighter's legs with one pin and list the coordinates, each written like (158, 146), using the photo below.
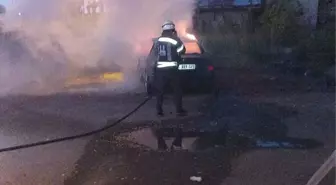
(163, 139)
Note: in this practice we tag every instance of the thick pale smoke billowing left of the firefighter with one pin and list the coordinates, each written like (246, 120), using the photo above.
(52, 41)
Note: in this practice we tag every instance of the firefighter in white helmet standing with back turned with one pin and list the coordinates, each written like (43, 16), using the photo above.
(168, 50)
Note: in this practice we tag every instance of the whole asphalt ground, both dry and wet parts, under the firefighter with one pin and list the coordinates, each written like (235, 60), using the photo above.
(239, 139)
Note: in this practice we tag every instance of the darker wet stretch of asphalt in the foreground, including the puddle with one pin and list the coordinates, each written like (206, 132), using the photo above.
(277, 140)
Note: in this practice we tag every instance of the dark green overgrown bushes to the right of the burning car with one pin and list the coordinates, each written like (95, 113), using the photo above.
(280, 27)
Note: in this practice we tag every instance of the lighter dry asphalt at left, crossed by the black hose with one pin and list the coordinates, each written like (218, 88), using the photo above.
(26, 119)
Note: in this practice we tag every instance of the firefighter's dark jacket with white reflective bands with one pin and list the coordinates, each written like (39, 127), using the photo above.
(168, 51)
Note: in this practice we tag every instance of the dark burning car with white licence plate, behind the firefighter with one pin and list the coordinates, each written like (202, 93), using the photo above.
(197, 70)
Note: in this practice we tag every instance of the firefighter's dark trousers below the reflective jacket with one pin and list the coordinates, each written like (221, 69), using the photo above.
(162, 80)
